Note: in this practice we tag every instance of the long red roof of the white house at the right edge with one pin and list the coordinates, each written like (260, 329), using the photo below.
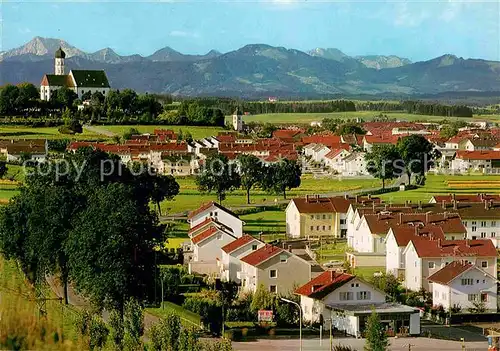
(439, 248)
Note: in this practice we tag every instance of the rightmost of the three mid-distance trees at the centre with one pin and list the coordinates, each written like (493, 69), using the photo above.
(281, 176)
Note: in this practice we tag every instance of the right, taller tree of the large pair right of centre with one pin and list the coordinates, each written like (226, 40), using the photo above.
(417, 154)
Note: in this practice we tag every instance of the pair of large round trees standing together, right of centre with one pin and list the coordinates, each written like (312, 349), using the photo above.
(412, 154)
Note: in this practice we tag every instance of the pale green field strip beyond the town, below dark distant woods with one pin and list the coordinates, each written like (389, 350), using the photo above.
(365, 115)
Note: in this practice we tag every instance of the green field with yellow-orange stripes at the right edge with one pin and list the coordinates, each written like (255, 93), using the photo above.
(446, 184)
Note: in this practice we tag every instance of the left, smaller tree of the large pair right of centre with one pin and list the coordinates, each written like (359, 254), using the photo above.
(381, 162)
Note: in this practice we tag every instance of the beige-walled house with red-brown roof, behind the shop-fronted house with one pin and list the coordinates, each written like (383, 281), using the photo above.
(277, 270)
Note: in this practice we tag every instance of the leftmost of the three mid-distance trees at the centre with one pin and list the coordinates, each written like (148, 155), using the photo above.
(219, 176)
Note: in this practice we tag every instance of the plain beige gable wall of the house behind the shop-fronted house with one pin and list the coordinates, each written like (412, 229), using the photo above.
(290, 274)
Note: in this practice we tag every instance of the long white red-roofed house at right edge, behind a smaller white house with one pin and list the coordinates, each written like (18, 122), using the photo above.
(425, 257)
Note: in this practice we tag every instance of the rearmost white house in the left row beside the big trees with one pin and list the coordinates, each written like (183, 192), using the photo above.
(220, 213)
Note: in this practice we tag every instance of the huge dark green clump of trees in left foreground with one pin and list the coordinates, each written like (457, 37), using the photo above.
(87, 220)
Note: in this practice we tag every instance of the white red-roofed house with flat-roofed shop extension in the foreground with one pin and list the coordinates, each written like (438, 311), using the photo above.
(347, 301)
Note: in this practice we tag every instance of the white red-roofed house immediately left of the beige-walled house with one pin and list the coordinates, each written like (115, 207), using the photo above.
(230, 264)
